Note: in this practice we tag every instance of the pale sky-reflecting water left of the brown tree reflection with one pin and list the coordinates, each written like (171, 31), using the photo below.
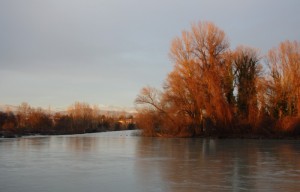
(89, 162)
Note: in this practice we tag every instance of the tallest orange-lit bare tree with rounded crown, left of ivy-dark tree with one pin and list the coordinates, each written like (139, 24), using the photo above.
(202, 74)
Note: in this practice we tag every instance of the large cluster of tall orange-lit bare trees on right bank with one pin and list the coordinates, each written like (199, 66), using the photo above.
(215, 91)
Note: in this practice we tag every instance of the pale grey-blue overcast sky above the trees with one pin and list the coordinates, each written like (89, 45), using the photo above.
(102, 52)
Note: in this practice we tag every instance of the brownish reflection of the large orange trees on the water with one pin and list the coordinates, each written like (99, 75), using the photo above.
(217, 165)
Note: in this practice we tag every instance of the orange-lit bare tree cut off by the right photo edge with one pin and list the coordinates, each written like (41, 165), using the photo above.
(284, 92)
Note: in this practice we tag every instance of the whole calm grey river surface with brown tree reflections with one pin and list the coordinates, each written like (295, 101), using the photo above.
(118, 161)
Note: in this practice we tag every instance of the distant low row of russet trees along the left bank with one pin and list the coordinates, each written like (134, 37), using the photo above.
(79, 118)
